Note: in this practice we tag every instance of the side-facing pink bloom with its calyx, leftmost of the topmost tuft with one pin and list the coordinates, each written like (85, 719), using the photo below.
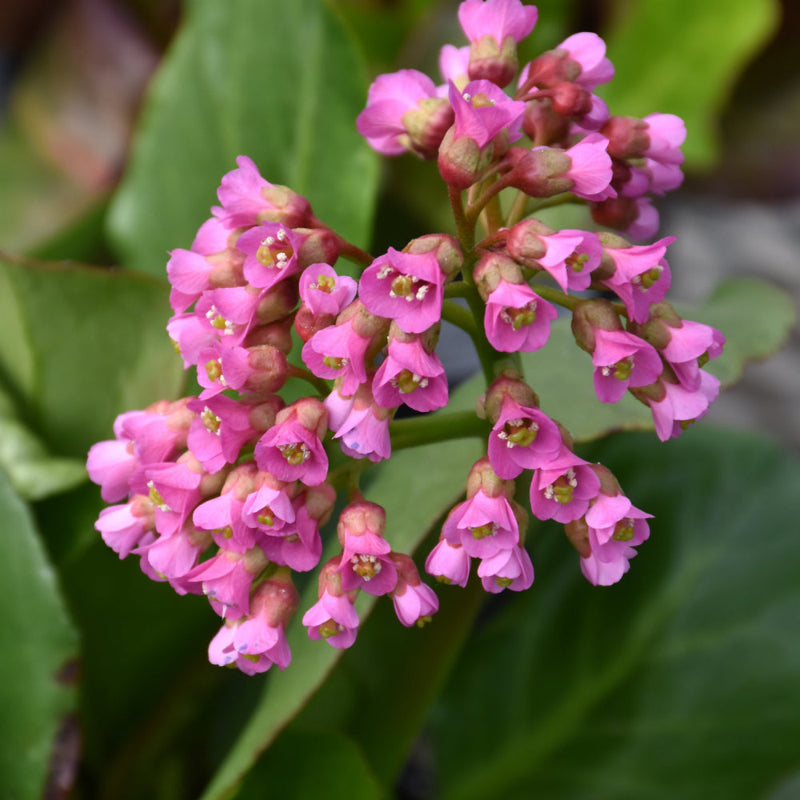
(404, 112)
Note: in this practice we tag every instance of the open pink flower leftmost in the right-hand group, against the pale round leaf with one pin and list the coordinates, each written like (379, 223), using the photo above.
(622, 360)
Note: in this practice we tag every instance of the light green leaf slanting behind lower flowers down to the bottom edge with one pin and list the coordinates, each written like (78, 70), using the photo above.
(414, 498)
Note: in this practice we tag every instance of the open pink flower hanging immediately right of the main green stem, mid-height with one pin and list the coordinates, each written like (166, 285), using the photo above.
(517, 318)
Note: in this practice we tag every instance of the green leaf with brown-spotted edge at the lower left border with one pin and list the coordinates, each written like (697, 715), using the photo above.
(38, 644)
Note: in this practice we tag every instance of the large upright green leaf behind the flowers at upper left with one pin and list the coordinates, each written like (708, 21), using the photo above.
(280, 82)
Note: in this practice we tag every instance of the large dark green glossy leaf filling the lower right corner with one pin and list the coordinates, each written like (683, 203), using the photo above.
(681, 680)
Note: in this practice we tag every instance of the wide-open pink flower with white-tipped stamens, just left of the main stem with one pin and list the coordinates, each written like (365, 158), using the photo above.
(405, 287)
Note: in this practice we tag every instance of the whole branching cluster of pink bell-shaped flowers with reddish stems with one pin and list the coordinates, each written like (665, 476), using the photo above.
(226, 493)
